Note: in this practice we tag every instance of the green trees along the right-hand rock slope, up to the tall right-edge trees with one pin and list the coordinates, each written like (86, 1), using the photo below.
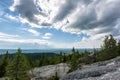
(109, 50)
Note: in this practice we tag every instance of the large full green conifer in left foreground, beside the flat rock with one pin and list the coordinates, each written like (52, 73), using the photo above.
(18, 67)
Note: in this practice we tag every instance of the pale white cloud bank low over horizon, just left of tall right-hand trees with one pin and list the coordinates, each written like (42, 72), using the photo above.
(87, 43)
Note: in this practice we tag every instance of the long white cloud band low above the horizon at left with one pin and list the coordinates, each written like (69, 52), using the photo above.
(17, 39)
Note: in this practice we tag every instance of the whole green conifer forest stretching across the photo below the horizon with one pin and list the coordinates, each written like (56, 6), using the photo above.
(16, 66)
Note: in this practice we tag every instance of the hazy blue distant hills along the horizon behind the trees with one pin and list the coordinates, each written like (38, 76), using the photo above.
(2, 51)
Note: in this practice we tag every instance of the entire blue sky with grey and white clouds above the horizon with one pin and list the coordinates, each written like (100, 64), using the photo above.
(46, 24)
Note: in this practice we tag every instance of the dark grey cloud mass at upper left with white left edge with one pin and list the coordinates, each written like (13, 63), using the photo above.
(26, 8)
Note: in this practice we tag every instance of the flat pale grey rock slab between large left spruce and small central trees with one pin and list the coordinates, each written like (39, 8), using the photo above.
(45, 72)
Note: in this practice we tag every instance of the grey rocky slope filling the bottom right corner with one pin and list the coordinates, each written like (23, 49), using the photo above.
(107, 70)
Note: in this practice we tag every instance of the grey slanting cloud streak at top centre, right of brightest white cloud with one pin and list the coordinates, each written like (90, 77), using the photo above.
(67, 8)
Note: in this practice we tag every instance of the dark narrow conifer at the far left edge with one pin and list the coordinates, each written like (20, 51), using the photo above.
(3, 64)
